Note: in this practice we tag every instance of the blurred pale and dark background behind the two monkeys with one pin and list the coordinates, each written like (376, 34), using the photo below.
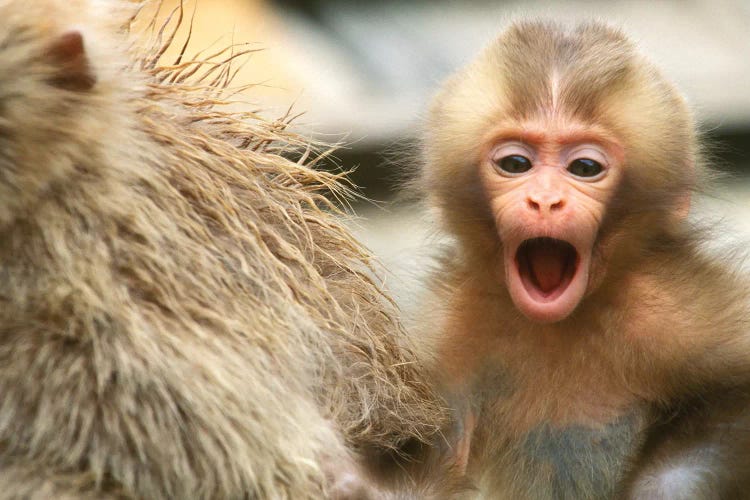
(363, 72)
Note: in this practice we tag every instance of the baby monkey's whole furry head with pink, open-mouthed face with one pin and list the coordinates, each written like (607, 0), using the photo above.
(550, 163)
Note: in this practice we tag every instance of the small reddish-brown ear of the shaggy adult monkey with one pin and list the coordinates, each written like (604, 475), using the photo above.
(73, 71)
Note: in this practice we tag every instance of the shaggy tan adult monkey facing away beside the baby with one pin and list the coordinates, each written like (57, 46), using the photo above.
(180, 315)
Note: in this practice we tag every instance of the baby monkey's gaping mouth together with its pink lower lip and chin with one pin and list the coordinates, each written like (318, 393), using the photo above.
(546, 277)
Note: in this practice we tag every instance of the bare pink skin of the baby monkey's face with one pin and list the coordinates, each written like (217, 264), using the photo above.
(547, 200)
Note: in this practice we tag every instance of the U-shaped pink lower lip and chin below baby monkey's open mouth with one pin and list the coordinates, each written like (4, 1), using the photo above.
(546, 309)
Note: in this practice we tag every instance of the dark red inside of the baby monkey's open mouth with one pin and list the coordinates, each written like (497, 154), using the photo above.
(546, 267)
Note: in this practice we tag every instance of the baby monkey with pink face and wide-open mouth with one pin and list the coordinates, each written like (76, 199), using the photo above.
(590, 348)
